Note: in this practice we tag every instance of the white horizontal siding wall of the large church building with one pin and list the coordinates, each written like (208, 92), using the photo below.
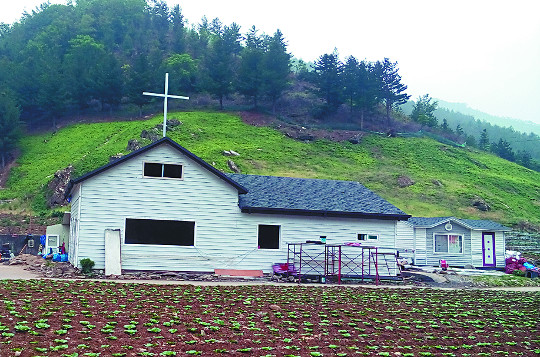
(224, 237)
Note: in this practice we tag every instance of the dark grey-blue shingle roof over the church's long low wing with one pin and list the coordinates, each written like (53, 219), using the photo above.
(331, 197)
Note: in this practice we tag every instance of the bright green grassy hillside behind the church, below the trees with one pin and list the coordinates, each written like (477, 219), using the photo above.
(446, 178)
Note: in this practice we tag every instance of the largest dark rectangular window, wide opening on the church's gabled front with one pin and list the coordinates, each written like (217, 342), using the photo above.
(161, 232)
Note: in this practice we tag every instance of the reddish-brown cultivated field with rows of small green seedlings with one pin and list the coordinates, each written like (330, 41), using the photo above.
(85, 318)
